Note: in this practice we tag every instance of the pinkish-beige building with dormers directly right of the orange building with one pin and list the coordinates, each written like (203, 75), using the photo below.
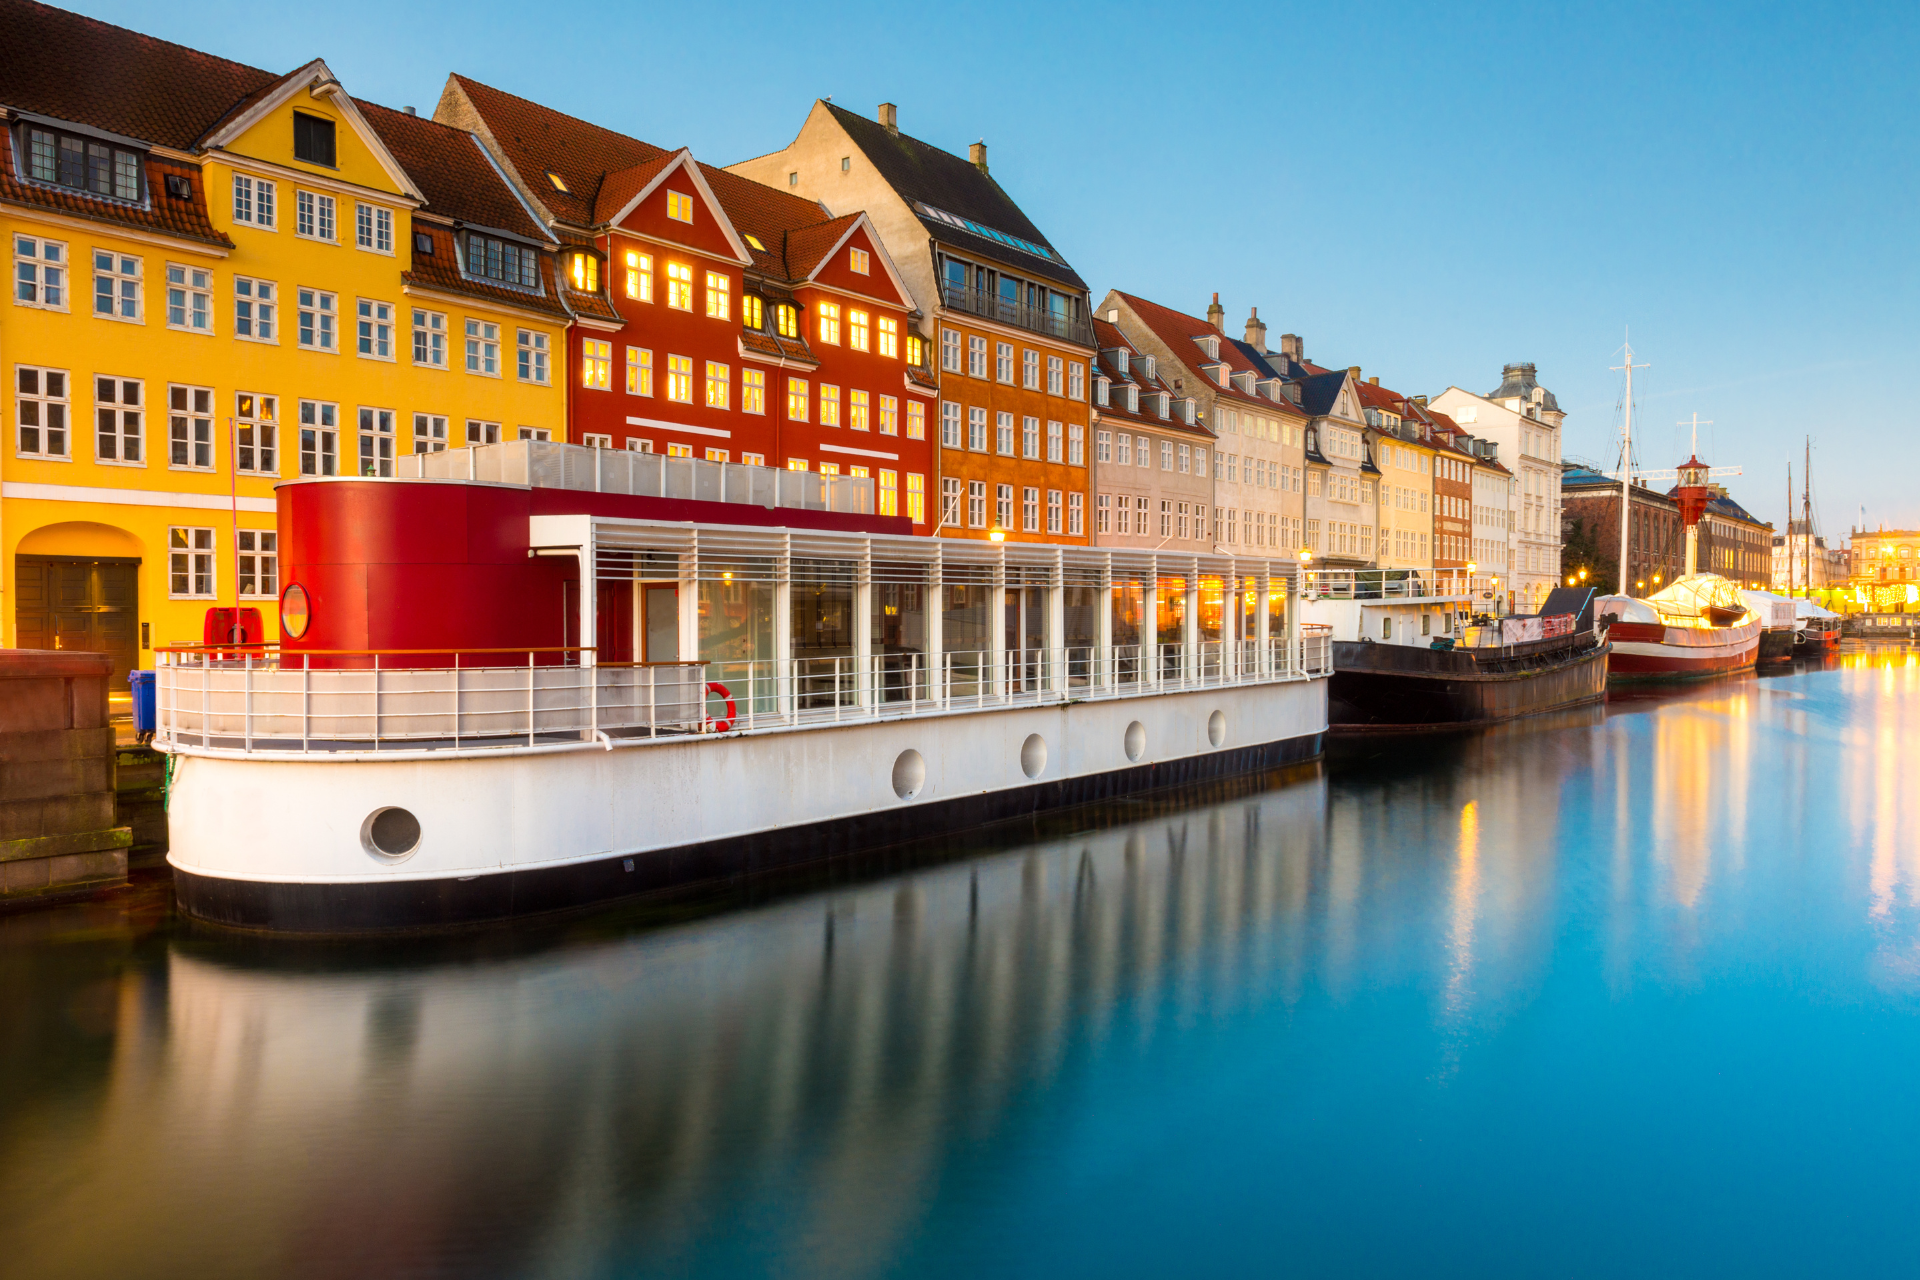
(1153, 486)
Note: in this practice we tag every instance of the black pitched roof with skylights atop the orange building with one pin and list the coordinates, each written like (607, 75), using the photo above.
(921, 172)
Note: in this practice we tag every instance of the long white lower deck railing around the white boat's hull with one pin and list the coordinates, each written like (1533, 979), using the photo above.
(260, 701)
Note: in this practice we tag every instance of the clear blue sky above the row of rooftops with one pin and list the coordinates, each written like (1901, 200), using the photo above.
(1422, 191)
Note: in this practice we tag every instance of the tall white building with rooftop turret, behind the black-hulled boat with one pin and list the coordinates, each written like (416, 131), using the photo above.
(1525, 421)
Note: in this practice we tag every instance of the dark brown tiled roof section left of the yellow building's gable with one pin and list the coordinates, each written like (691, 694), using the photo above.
(87, 72)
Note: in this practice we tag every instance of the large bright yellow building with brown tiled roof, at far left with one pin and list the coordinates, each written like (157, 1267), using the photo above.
(226, 277)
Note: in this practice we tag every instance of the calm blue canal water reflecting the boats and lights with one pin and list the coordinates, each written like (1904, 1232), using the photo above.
(1633, 991)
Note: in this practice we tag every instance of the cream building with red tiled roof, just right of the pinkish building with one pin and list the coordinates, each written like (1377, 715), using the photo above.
(1259, 465)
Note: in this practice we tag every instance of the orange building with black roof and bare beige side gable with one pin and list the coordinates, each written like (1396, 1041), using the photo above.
(999, 306)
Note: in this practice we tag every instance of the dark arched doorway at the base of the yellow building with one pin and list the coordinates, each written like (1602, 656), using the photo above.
(78, 586)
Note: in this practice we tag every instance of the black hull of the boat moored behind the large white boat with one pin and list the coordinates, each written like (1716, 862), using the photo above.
(1403, 690)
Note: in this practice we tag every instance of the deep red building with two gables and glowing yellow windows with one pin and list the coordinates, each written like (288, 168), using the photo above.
(717, 318)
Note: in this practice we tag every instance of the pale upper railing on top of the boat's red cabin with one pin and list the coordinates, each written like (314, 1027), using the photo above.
(550, 465)
